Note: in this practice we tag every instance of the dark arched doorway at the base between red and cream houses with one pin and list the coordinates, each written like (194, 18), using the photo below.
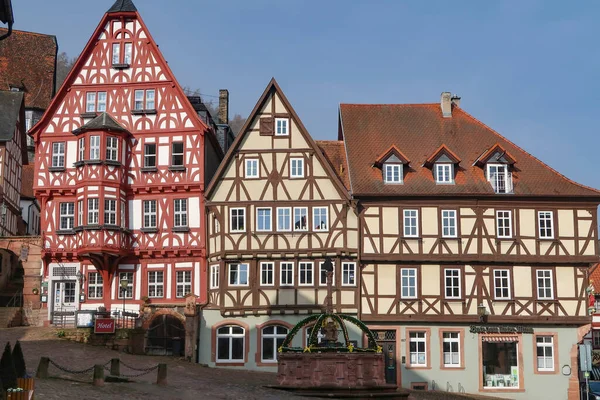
(165, 336)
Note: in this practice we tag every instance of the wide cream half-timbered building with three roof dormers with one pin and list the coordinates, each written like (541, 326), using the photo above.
(474, 255)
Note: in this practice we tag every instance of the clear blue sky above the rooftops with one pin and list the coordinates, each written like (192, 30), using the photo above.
(528, 69)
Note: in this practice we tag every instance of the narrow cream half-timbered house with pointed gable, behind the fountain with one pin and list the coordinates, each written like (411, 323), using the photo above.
(276, 209)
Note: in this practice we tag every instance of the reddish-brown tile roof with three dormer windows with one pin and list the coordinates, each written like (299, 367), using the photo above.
(418, 130)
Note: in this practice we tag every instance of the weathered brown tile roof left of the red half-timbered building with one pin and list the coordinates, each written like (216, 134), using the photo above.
(28, 60)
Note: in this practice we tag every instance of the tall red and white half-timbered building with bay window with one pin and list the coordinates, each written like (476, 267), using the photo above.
(122, 160)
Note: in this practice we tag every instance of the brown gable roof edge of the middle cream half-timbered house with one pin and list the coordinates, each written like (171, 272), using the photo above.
(272, 88)
